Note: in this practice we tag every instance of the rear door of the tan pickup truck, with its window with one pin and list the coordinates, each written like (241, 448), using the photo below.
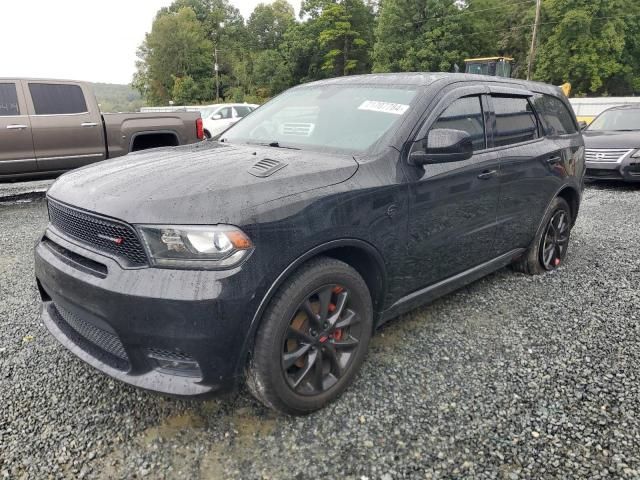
(66, 134)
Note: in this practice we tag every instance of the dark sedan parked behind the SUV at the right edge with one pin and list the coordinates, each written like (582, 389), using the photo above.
(612, 143)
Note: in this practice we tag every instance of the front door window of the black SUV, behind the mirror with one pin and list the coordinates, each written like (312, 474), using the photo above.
(465, 114)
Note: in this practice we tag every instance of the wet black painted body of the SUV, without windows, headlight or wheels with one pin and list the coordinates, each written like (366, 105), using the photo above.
(413, 233)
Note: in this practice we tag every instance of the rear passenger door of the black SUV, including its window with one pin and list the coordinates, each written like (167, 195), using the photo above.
(527, 160)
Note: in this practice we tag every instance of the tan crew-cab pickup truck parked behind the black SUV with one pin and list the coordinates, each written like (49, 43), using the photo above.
(49, 126)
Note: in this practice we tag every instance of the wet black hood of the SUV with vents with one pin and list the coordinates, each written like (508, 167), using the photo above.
(205, 183)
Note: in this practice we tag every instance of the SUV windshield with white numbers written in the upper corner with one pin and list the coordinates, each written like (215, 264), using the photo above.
(350, 118)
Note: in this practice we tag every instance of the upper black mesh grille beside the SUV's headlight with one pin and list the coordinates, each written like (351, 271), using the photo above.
(99, 232)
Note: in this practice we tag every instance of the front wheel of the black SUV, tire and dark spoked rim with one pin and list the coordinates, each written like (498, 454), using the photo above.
(293, 323)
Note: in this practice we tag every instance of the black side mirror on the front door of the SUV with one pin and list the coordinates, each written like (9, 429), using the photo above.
(443, 145)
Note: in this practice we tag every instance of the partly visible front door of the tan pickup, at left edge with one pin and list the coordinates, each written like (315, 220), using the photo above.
(16, 144)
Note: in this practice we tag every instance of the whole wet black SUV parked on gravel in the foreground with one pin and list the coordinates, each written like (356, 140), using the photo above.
(271, 254)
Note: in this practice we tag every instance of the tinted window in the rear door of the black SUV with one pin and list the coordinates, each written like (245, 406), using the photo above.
(515, 121)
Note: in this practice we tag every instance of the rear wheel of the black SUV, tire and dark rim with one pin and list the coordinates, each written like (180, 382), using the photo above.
(534, 261)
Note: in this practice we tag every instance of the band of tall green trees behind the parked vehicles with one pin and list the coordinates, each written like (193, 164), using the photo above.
(273, 51)
